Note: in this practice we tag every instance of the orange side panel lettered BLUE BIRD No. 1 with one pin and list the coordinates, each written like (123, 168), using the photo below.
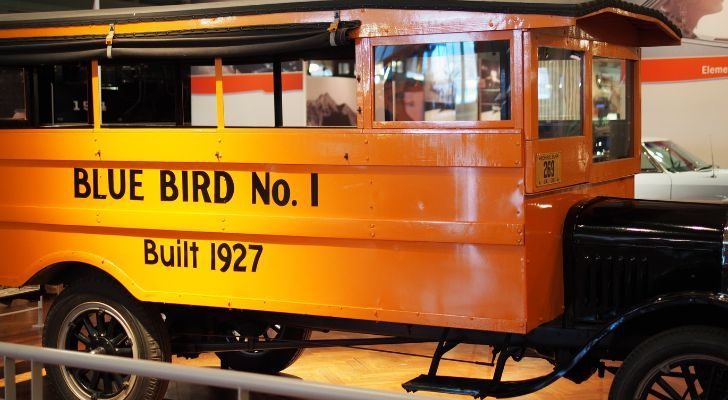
(466, 205)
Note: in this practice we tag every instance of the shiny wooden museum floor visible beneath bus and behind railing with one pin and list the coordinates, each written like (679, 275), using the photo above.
(374, 367)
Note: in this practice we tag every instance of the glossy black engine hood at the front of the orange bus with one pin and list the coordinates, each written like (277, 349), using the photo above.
(620, 253)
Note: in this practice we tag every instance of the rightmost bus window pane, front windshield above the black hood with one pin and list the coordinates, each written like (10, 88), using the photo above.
(612, 109)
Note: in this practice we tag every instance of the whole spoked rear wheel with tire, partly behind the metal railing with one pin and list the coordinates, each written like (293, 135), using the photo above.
(99, 317)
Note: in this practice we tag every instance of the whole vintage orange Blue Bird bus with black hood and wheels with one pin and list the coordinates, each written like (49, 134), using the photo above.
(228, 177)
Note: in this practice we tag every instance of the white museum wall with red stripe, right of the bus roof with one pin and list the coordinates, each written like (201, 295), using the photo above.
(685, 88)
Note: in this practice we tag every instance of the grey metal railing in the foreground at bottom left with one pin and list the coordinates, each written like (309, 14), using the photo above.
(243, 382)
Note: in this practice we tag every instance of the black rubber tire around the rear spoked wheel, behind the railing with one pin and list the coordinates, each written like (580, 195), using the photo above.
(147, 326)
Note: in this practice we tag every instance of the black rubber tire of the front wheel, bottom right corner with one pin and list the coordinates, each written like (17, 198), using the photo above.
(697, 340)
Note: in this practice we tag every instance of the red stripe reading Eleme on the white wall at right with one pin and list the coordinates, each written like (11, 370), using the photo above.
(684, 69)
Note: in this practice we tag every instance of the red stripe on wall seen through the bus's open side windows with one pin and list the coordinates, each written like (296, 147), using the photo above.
(246, 83)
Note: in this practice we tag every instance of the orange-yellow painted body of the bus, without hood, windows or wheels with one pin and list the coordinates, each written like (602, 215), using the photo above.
(404, 223)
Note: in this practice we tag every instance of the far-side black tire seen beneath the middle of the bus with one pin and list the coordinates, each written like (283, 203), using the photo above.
(267, 361)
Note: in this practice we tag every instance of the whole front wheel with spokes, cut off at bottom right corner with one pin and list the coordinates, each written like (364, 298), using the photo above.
(685, 363)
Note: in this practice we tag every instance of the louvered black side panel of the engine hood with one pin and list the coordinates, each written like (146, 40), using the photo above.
(607, 285)
